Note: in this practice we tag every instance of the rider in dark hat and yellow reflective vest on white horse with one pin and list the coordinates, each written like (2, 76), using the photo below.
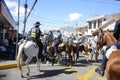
(35, 34)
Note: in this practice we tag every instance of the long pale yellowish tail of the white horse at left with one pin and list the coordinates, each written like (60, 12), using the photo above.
(20, 51)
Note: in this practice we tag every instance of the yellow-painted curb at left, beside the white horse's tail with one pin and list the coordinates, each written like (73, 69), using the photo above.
(9, 65)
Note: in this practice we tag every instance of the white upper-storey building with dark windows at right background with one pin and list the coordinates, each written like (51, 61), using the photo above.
(105, 22)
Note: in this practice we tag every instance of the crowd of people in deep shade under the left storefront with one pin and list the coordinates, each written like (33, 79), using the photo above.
(7, 48)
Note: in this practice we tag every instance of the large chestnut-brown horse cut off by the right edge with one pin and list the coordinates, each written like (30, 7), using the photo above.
(113, 63)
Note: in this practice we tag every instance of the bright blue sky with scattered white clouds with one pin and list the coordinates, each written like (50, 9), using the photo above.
(54, 14)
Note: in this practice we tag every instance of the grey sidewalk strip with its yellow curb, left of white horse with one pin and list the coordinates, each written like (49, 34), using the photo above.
(6, 64)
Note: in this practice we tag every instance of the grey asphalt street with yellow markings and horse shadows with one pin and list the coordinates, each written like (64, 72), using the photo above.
(79, 71)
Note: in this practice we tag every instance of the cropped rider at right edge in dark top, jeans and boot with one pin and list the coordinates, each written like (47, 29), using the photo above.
(116, 34)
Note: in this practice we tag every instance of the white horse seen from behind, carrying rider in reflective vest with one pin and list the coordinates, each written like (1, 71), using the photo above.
(30, 50)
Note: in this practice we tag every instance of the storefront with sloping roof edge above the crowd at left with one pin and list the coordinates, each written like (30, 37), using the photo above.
(7, 22)
